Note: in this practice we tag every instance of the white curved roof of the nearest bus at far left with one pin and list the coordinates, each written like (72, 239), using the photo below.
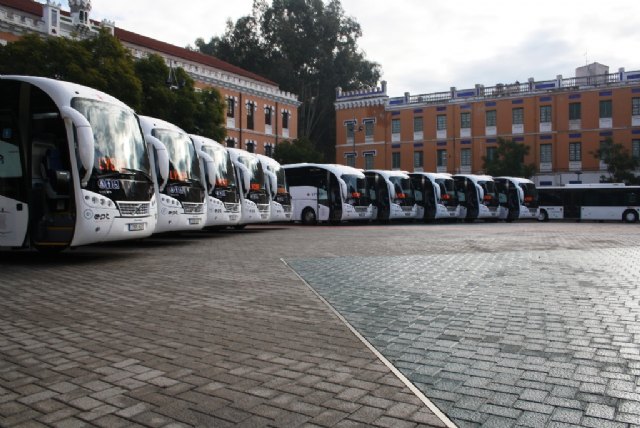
(63, 92)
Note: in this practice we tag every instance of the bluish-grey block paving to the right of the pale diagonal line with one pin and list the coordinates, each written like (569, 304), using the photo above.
(500, 336)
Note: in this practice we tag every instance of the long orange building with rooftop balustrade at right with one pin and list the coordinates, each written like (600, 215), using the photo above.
(563, 121)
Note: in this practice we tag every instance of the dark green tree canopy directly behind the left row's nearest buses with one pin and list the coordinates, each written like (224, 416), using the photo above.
(103, 63)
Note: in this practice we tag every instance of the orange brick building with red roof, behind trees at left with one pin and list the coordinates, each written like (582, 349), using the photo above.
(259, 114)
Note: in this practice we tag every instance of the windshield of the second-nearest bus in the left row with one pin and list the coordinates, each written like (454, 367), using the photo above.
(183, 161)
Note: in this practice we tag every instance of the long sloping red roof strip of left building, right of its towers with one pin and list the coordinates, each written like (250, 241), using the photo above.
(166, 48)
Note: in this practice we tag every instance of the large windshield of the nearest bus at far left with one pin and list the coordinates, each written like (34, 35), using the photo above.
(119, 145)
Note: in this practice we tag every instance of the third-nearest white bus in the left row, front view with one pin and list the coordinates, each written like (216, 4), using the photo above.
(223, 204)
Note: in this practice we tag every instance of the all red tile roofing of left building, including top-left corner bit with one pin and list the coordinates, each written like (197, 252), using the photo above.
(35, 8)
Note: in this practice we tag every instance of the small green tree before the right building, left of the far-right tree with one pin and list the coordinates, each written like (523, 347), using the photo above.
(509, 160)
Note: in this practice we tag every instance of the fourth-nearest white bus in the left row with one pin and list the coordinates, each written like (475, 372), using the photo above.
(252, 182)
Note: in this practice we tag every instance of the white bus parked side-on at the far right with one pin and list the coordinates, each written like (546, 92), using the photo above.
(613, 201)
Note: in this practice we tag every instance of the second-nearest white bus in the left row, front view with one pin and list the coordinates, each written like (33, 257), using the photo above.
(179, 181)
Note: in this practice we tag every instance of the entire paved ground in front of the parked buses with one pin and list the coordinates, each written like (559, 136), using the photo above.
(523, 324)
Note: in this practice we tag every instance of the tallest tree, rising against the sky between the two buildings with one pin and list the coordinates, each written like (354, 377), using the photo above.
(309, 47)
